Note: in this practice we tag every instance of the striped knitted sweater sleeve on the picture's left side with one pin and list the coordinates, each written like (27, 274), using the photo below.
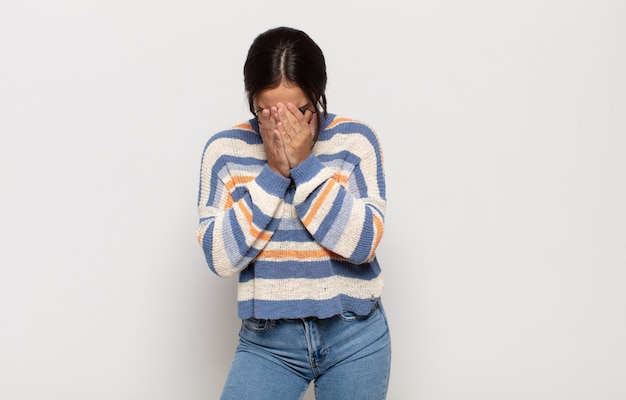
(239, 203)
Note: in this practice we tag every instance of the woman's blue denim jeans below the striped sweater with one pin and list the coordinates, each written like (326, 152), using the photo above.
(347, 356)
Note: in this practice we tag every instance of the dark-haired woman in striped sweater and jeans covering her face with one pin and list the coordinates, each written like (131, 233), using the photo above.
(293, 201)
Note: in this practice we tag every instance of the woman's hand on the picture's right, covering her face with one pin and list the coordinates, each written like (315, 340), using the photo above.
(297, 131)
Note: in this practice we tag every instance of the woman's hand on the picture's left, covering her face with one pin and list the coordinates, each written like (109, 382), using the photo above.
(273, 142)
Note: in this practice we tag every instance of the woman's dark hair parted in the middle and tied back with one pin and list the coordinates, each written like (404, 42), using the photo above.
(286, 54)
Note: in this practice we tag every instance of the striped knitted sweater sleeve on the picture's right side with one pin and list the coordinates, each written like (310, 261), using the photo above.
(342, 201)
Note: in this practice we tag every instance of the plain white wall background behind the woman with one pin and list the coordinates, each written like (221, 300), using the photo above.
(504, 131)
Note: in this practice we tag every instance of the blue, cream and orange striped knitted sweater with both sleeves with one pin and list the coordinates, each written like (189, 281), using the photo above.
(305, 246)
